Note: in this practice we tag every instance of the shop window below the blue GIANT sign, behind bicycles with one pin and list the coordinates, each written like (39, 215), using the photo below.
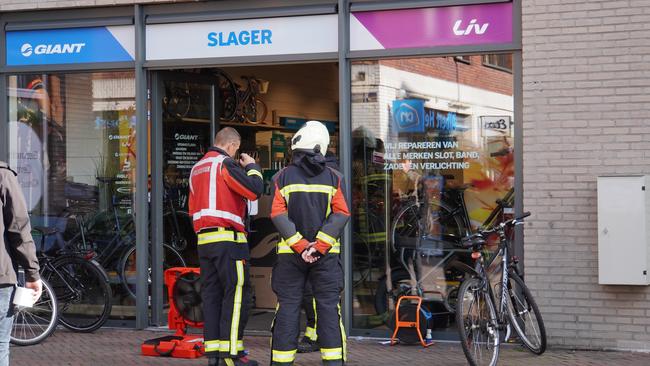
(72, 142)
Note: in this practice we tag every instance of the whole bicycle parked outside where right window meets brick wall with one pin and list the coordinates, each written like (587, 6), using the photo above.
(478, 318)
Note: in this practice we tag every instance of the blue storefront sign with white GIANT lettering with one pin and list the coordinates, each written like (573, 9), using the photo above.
(70, 46)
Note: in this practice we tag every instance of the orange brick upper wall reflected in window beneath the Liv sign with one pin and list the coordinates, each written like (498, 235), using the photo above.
(446, 68)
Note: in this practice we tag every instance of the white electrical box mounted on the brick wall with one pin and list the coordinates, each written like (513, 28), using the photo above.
(623, 230)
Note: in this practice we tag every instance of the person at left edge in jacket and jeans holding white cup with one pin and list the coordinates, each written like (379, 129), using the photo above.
(16, 249)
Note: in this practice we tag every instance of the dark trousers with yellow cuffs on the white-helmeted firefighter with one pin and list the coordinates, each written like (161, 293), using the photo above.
(288, 281)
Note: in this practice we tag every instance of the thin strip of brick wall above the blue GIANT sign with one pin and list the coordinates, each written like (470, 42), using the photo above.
(13, 5)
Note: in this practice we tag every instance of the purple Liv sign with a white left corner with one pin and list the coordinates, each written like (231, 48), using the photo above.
(480, 24)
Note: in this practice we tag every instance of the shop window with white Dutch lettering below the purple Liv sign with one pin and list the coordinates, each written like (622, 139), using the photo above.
(432, 155)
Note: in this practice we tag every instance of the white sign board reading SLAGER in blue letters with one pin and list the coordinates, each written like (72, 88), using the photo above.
(247, 37)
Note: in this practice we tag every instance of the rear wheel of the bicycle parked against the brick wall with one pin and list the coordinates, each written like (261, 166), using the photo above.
(525, 316)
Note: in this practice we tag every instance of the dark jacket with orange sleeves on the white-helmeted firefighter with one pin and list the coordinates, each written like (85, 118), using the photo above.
(309, 203)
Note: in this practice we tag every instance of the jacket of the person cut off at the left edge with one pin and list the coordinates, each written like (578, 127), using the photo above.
(16, 243)
